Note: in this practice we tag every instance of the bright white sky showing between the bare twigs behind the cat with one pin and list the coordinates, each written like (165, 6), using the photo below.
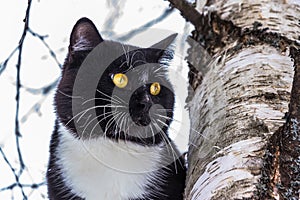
(53, 18)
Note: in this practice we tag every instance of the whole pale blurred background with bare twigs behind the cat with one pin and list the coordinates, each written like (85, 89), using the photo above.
(27, 124)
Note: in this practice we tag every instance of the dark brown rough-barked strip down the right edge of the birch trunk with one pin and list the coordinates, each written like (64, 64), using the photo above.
(289, 145)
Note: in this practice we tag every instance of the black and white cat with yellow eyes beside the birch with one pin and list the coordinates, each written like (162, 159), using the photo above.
(123, 152)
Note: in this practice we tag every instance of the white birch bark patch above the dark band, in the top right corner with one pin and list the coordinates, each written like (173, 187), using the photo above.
(280, 16)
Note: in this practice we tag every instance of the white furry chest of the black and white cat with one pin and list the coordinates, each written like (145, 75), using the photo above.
(104, 169)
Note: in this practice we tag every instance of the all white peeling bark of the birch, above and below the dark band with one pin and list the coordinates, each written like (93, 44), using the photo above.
(241, 102)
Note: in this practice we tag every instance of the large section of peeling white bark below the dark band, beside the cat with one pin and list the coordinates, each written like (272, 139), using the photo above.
(241, 102)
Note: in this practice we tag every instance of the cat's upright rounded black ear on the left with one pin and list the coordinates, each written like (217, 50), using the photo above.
(84, 36)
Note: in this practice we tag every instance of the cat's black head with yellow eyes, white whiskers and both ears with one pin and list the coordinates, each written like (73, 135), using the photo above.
(109, 89)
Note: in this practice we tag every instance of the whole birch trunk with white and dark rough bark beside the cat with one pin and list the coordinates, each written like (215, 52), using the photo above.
(245, 114)
